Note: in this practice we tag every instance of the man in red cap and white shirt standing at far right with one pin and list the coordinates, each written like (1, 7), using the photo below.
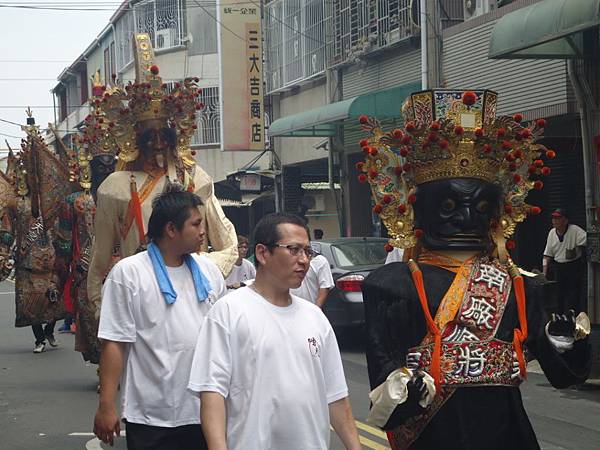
(563, 254)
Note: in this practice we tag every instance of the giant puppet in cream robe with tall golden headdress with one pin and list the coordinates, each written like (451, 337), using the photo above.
(152, 124)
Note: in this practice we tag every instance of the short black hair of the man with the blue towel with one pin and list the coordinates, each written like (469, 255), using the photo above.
(173, 205)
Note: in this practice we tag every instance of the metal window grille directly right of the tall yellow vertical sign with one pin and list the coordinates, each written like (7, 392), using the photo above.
(295, 41)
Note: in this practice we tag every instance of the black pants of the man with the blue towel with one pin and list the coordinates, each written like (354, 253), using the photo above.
(147, 437)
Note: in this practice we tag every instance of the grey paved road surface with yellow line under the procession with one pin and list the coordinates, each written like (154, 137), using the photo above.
(47, 401)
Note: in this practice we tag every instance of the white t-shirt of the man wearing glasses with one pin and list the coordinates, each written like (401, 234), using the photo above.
(277, 367)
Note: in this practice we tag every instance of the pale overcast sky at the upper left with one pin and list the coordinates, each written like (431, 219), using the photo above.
(29, 39)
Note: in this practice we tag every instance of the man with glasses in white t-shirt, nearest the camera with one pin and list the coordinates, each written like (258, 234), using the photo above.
(274, 378)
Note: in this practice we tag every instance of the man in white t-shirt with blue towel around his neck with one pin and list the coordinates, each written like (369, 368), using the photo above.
(153, 304)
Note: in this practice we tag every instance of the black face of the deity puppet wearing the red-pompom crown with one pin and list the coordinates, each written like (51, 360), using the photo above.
(456, 214)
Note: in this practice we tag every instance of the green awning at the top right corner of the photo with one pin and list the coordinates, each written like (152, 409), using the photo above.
(550, 29)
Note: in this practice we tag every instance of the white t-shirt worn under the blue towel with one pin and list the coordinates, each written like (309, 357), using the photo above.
(161, 337)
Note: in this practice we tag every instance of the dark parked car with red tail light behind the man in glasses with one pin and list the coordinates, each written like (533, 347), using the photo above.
(351, 260)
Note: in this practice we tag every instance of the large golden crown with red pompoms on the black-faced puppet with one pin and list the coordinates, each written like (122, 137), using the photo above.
(451, 134)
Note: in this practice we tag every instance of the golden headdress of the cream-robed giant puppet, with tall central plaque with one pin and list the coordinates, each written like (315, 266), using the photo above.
(116, 110)
